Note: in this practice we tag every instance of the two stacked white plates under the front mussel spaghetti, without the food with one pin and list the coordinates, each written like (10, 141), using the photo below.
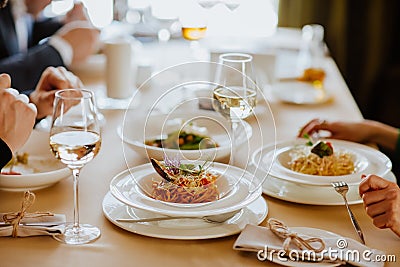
(130, 198)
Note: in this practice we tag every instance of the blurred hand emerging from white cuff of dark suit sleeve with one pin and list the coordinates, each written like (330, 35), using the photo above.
(82, 37)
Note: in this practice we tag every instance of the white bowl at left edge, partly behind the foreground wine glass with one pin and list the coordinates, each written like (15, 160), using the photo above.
(42, 170)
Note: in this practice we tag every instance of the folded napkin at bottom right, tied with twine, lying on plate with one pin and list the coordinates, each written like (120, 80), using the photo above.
(257, 238)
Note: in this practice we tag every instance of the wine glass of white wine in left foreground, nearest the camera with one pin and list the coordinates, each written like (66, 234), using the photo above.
(75, 140)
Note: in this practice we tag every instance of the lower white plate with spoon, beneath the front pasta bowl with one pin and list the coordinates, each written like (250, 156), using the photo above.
(182, 229)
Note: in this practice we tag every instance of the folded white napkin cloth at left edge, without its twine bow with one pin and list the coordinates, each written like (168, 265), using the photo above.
(46, 225)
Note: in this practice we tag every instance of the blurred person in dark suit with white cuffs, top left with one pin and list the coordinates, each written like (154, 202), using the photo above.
(69, 43)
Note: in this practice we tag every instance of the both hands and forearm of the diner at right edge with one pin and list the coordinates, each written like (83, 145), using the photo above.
(381, 197)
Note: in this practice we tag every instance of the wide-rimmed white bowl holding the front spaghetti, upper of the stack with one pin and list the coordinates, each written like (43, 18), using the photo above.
(236, 189)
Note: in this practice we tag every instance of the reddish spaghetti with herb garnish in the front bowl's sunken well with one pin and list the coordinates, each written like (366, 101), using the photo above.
(192, 184)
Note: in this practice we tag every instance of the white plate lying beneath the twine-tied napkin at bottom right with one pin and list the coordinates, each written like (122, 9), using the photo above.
(314, 232)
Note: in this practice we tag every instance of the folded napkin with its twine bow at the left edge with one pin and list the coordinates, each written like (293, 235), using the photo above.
(22, 223)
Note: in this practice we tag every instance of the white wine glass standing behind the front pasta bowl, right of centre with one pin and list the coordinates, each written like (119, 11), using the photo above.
(235, 93)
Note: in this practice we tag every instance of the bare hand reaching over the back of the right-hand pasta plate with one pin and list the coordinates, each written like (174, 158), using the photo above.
(350, 131)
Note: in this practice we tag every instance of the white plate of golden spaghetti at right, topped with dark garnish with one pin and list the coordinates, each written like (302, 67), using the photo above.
(296, 161)
